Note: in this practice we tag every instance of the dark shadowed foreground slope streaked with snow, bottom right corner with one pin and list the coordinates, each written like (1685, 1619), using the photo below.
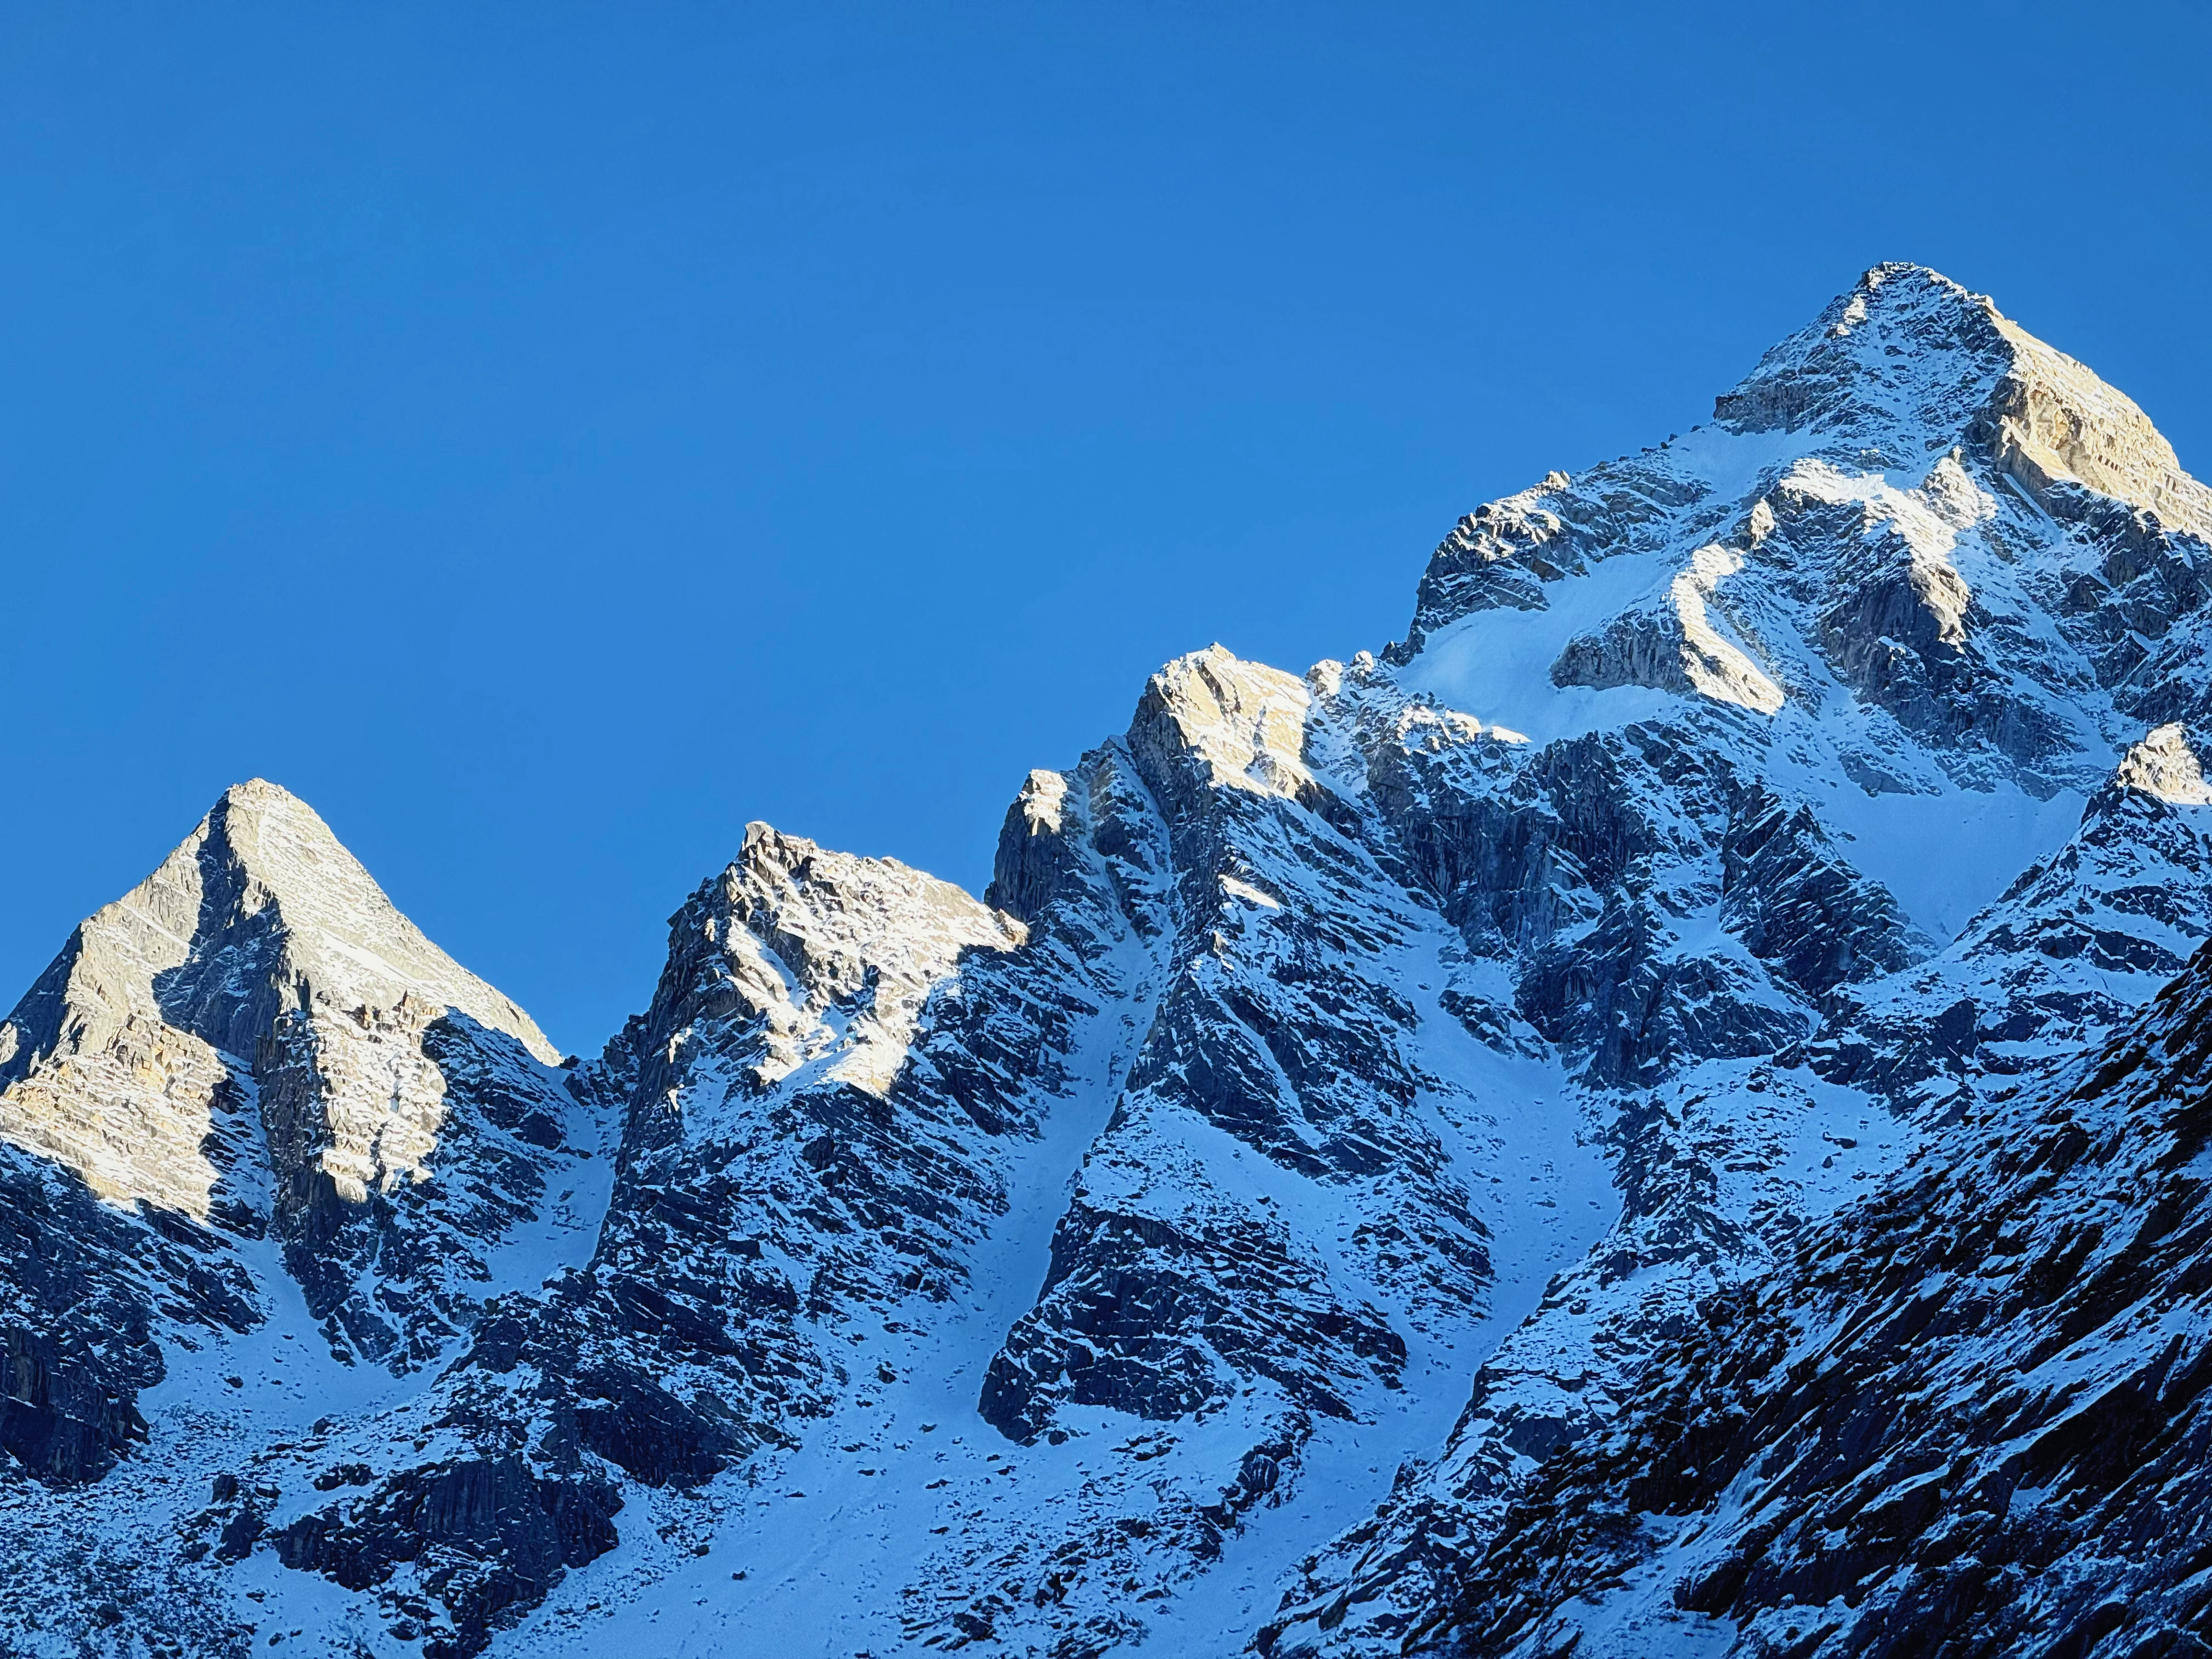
(1968, 1415)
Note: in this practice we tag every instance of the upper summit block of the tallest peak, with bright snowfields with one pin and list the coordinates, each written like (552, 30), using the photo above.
(1912, 536)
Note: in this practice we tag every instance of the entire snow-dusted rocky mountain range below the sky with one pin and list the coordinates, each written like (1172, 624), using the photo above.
(1649, 1118)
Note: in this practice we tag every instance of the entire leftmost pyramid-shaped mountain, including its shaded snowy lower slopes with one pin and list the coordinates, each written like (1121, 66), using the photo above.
(269, 1151)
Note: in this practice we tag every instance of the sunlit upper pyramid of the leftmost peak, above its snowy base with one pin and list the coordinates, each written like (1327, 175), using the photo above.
(255, 1039)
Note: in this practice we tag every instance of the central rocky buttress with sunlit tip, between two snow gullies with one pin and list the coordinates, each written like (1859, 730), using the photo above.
(1282, 1244)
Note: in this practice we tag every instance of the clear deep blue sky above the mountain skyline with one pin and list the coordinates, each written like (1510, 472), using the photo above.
(552, 437)
